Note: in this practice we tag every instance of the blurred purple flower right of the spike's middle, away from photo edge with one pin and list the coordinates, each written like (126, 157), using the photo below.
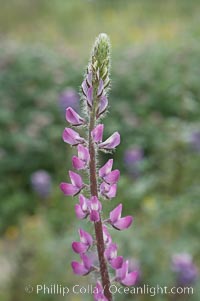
(132, 157)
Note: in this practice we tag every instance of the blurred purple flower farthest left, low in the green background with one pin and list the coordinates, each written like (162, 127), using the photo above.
(41, 183)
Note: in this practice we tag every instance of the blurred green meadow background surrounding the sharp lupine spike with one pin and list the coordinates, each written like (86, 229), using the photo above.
(154, 104)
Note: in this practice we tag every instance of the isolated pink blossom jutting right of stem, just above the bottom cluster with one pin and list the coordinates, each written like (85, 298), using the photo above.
(118, 222)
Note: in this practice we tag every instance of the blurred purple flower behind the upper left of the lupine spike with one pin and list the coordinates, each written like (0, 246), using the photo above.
(68, 98)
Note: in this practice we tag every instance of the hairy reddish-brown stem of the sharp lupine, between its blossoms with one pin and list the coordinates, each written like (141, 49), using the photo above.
(98, 225)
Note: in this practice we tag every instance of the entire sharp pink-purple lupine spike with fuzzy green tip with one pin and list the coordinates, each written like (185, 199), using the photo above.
(102, 182)
